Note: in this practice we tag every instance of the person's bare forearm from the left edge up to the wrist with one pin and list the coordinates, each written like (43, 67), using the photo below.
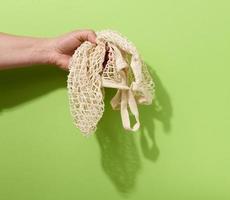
(23, 51)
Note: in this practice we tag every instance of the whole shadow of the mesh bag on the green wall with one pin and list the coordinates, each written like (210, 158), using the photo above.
(120, 157)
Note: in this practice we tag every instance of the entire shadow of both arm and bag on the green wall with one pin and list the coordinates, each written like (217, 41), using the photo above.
(120, 157)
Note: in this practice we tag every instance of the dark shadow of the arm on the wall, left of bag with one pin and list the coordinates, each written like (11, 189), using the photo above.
(18, 86)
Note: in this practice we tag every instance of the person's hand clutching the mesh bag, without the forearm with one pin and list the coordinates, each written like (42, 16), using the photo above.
(63, 47)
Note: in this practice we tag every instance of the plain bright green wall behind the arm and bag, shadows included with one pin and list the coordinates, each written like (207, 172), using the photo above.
(182, 150)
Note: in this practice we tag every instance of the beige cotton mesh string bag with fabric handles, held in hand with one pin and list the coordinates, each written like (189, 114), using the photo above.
(114, 63)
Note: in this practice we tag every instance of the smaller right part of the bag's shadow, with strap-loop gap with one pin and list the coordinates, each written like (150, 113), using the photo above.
(161, 110)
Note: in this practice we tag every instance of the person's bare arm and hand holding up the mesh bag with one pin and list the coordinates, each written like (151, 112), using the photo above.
(21, 51)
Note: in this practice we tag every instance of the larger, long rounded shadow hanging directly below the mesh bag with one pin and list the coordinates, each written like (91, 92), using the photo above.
(119, 155)
